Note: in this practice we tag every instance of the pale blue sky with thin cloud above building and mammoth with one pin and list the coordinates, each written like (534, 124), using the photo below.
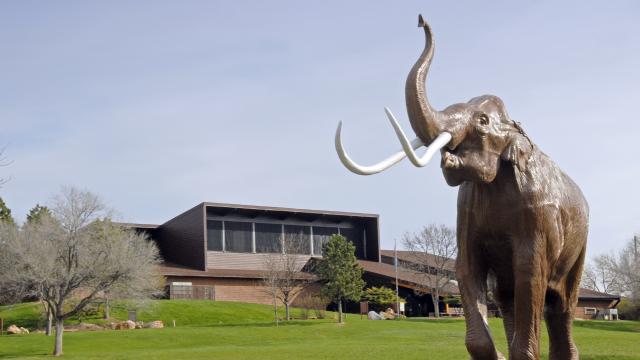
(158, 106)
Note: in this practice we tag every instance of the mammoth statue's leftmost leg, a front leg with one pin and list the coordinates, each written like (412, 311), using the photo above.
(472, 281)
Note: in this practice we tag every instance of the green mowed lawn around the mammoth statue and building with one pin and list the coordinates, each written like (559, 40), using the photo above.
(221, 330)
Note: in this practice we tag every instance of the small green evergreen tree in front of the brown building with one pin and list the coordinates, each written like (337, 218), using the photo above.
(340, 272)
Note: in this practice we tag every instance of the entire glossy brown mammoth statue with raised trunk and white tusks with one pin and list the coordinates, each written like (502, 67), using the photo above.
(521, 220)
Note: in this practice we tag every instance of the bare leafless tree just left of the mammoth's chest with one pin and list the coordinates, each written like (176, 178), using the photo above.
(431, 254)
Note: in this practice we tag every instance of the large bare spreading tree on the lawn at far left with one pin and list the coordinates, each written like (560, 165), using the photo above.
(67, 260)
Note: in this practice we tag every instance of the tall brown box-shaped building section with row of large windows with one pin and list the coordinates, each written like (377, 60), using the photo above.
(218, 250)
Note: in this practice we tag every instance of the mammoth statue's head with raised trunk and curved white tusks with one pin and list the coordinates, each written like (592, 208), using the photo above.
(473, 137)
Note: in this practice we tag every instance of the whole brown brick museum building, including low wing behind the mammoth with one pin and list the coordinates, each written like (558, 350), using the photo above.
(217, 251)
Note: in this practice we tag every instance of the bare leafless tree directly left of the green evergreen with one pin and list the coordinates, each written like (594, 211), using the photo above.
(283, 276)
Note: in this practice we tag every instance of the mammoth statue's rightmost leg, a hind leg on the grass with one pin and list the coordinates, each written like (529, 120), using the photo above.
(559, 315)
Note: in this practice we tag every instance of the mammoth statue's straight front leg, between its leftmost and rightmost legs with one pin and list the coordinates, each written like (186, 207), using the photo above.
(530, 287)
